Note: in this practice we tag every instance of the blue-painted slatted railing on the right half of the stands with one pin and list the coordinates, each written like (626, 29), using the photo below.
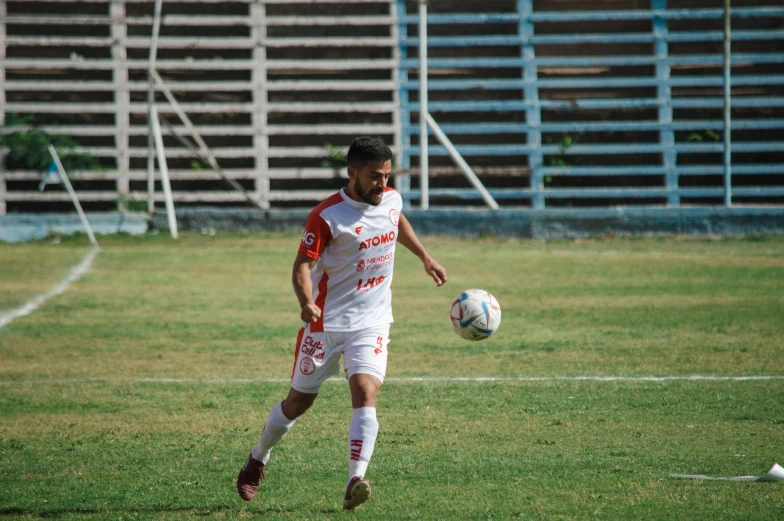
(476, 92)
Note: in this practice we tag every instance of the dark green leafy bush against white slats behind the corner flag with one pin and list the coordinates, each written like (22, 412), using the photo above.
(28, 146)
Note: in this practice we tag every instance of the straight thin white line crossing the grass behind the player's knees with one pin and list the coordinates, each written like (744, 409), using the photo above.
(413, 379)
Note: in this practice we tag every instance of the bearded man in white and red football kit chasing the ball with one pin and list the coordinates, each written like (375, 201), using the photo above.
(342, 277)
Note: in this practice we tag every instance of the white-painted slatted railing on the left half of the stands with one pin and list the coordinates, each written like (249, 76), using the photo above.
(267, 84)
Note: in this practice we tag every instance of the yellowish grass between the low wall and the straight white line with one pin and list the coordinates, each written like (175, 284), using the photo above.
(225, 304)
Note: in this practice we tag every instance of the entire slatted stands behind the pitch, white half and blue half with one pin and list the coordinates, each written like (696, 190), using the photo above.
(553, 103)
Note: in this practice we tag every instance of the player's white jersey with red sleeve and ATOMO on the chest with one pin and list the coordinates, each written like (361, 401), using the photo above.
(353, 244)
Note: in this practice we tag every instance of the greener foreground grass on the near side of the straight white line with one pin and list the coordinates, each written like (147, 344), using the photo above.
(560, 450)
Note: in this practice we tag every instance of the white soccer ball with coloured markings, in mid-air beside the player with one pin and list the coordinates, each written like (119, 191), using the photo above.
(475, 314)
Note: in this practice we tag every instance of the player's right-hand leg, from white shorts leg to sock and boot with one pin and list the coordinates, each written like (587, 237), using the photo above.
(365, 363)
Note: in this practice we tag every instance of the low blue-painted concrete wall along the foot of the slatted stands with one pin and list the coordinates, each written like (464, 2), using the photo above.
(541, 225)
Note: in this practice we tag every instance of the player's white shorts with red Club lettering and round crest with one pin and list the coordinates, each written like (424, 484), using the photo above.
(318, 355)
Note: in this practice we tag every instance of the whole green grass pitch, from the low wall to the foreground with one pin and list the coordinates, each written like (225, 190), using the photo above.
(138, 392)
